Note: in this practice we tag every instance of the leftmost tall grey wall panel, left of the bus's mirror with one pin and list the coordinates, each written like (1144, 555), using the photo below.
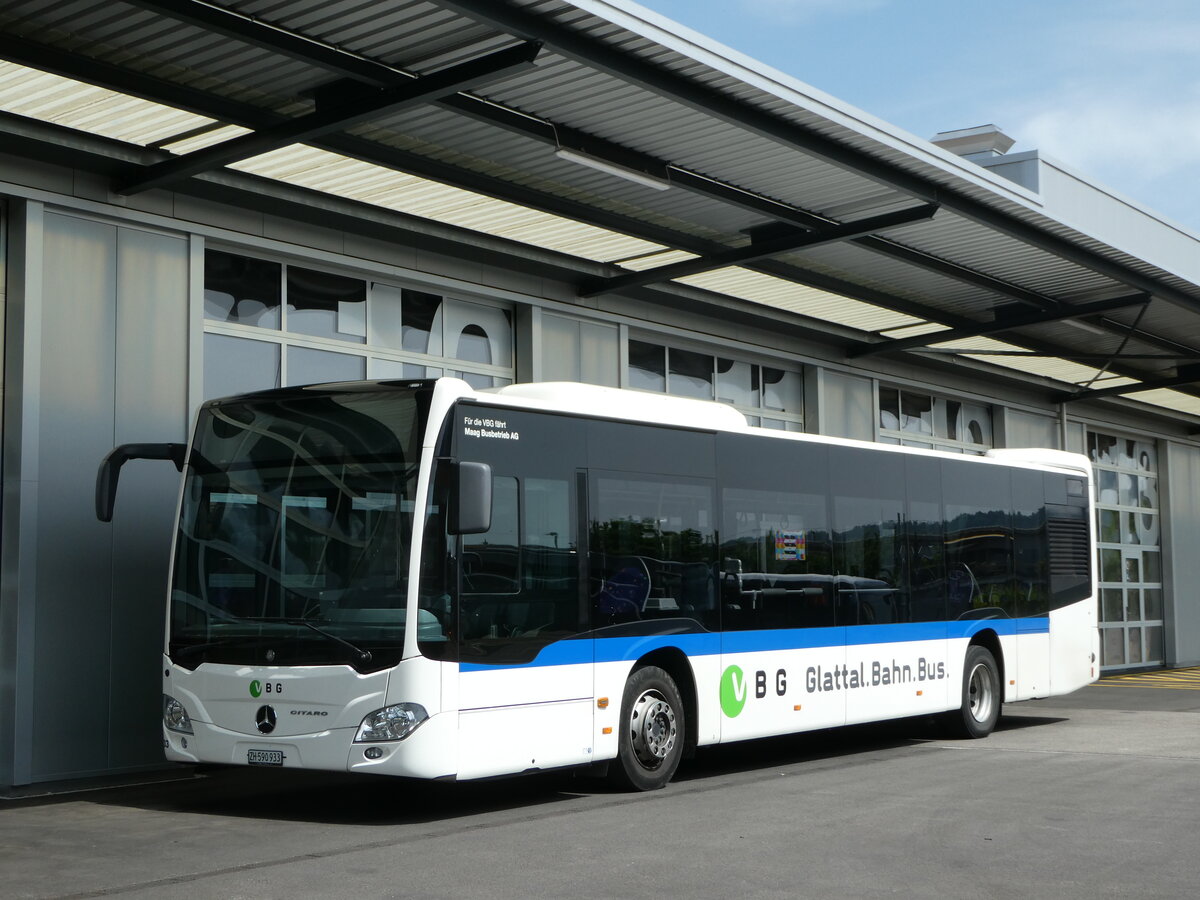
(74, 554)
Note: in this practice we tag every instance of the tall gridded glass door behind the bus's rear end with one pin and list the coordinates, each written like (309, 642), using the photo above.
(1129, 545)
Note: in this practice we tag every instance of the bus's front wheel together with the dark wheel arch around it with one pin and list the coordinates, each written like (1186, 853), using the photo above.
(657, 717)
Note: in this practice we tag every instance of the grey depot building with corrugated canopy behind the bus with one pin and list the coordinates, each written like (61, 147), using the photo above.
(200, 200)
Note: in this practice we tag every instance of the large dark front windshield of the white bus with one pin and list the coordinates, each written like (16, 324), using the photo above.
(295, 530)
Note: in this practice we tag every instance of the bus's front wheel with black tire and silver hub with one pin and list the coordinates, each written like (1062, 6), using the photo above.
(652, 733)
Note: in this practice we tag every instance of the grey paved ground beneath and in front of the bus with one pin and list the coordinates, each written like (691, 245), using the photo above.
(1096, 795)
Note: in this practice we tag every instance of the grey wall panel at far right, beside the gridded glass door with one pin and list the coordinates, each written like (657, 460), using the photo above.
(1181, 506)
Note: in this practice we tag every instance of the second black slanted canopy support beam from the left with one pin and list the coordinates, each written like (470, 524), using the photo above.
(760, 250)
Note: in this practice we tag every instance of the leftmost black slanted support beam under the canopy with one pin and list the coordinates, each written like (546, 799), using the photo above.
(335, 118)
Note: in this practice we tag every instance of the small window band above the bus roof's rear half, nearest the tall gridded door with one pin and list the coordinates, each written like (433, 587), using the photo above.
(919, 419)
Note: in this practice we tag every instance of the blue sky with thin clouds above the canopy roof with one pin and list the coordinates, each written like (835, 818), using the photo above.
(1112, 88)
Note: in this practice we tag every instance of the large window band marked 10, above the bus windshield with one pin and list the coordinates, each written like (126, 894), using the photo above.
(271, 323)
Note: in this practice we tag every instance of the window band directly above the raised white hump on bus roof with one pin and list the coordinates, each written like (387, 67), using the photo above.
(770, 398)
